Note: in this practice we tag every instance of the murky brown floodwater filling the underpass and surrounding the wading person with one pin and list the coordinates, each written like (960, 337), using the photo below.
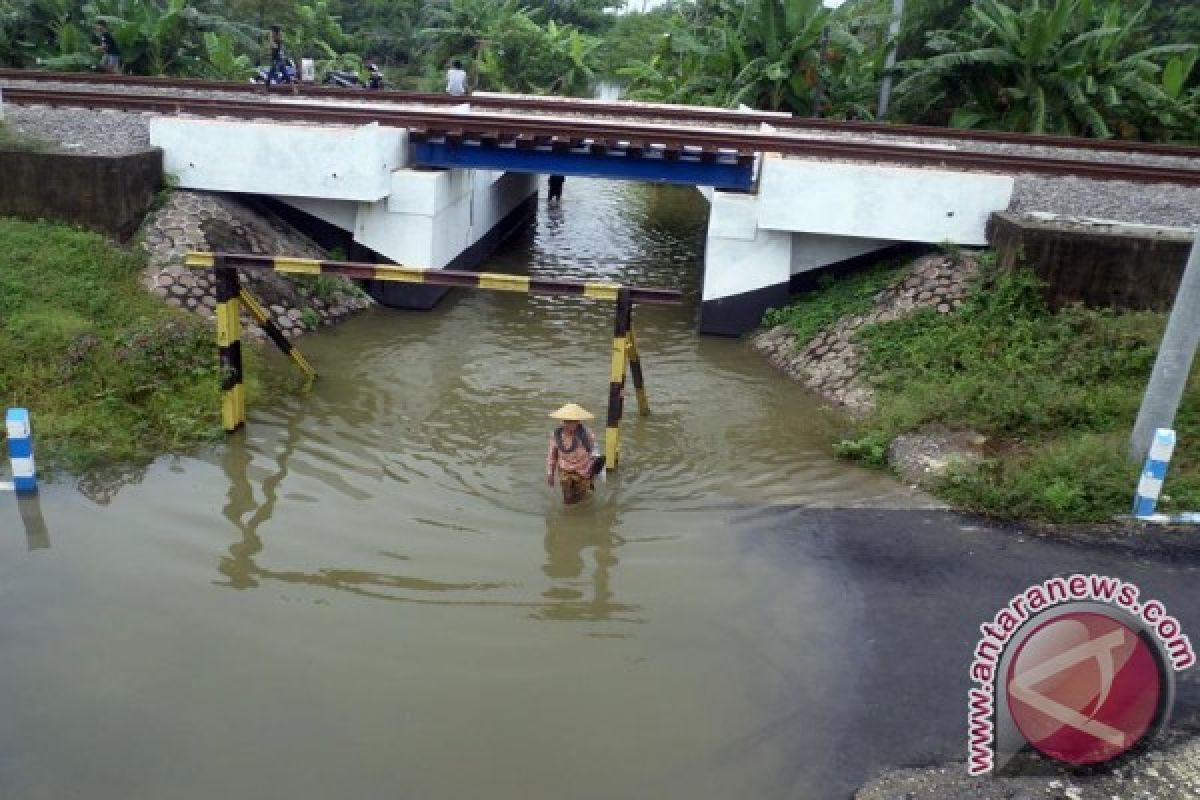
(374, 594)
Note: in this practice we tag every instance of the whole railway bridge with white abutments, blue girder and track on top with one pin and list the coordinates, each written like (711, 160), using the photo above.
(435, 183)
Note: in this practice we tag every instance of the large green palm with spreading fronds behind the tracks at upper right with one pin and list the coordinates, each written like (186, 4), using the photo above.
(1059, 67)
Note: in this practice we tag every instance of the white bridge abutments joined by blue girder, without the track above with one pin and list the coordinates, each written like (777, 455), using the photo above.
(446, 200)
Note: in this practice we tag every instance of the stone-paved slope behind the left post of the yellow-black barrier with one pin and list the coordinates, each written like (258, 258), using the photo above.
(202, 221)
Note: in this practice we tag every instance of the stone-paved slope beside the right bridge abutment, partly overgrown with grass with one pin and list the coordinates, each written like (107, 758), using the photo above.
(832, 364)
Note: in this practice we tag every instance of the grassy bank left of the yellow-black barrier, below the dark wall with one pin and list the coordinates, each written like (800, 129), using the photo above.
(110, 374)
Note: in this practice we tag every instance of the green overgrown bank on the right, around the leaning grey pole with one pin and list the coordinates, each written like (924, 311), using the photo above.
(1055, 393)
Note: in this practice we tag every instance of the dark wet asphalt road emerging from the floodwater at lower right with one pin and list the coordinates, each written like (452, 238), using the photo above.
(883, 681)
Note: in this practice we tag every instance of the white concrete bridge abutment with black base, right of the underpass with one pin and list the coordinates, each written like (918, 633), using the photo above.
(811, 214)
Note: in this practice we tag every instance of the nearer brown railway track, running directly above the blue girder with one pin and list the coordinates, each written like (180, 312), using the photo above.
(602, 136)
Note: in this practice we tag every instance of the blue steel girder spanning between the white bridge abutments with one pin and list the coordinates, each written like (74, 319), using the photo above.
(722, 171)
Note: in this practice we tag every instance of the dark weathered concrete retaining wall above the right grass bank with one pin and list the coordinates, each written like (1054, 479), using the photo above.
(1096, 263)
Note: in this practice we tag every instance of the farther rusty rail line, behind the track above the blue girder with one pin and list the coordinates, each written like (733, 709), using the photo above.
(622, 110)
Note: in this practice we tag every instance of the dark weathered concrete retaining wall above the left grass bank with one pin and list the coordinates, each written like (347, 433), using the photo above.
(105, 194)
